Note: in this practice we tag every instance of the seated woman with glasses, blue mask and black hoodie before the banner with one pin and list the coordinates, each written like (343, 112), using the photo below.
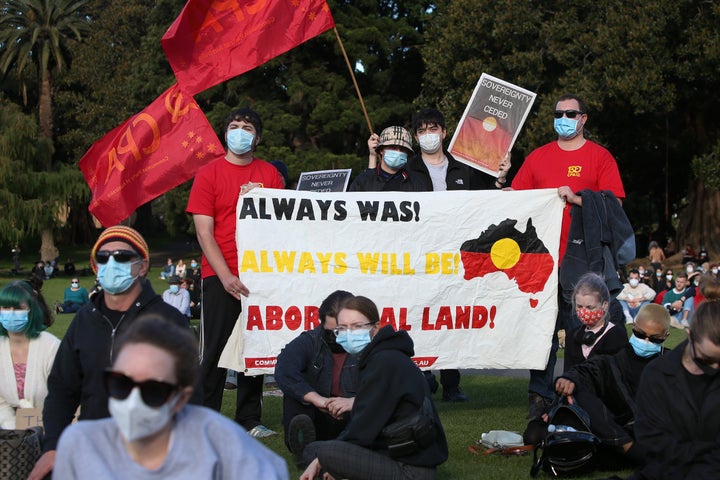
(392, 398)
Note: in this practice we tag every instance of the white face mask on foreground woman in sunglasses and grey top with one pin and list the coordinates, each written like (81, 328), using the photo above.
(135, 419)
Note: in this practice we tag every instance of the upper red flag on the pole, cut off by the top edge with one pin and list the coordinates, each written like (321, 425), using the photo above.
(215, 40)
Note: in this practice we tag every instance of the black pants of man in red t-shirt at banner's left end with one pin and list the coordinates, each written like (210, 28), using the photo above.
(220, 311)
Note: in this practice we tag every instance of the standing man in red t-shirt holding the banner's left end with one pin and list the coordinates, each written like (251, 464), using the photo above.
(213, 201)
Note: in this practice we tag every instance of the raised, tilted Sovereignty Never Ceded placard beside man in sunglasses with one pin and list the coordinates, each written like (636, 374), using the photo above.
(491, 123)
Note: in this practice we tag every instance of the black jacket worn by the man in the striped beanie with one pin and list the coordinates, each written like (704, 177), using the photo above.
(83, 356)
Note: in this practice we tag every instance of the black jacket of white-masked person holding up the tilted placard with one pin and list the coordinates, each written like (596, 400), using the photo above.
(459, 175)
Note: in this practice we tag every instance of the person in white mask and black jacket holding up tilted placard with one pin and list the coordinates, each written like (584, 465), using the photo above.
(435, 169)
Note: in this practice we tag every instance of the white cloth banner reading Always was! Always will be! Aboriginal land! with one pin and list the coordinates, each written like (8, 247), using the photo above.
(470, 275)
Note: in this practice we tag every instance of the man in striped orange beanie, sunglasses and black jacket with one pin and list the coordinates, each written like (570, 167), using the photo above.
(120, 260)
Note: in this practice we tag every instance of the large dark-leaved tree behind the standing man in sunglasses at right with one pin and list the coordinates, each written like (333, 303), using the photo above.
(647, 71)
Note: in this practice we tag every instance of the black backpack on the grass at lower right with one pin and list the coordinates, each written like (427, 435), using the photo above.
(569, 448)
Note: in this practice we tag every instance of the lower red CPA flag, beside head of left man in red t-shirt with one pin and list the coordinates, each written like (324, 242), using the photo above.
(152, 152)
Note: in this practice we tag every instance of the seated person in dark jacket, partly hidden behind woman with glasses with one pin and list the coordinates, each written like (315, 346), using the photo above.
(318, 379)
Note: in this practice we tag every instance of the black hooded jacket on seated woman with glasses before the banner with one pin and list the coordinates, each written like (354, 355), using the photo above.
(392, 388)
